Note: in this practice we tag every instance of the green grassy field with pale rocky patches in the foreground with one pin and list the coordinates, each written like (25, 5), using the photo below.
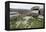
(25, 22)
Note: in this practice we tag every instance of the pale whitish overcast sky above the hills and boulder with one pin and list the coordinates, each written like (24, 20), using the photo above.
(23, 6)
